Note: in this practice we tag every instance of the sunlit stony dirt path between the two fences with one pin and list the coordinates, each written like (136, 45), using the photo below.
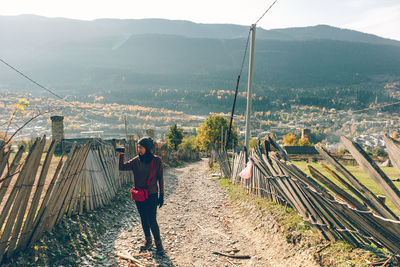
(196, 221)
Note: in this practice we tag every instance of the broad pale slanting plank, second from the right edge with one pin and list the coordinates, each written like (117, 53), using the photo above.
(391, 191)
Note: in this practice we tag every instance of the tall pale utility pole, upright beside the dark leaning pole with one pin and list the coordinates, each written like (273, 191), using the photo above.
(249, 85)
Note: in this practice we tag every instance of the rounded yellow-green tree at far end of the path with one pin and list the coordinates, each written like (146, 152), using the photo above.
(210, 132)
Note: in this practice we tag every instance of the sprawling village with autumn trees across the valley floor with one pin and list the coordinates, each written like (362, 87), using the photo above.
(96, 119)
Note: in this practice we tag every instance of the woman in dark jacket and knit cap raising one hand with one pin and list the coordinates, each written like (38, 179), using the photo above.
(141, 167)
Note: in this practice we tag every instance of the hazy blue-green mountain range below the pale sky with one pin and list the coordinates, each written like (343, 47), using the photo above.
(125, 57)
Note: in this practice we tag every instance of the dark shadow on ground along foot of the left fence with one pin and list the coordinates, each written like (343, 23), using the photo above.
(90, 239)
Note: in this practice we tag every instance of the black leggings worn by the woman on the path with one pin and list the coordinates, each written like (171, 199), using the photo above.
(148, 212)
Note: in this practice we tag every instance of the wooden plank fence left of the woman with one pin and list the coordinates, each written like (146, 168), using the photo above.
(32, 201)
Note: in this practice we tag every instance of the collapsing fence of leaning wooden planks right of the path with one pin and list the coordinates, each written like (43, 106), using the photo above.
(359, 217)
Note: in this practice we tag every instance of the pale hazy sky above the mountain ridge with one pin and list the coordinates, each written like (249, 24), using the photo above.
(380, 17)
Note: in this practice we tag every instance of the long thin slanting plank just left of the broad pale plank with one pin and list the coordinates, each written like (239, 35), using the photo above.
(370, 199)
